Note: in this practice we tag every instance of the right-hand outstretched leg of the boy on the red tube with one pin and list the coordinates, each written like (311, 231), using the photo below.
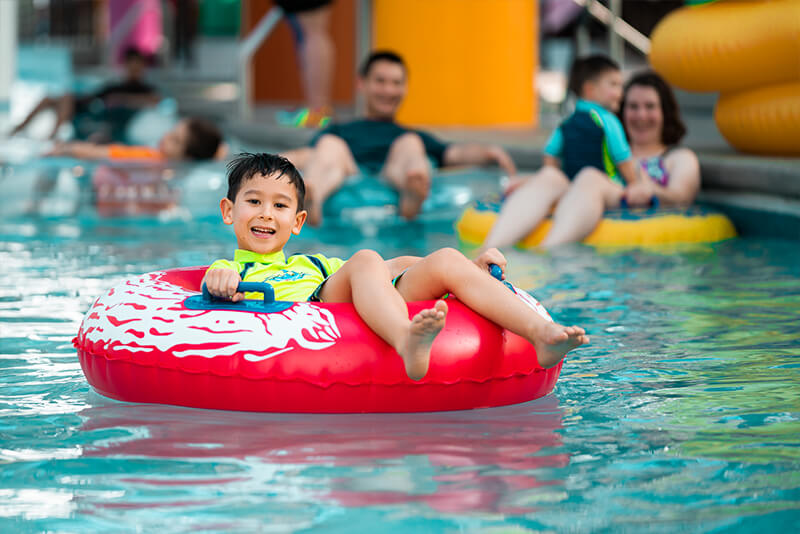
(449, 271)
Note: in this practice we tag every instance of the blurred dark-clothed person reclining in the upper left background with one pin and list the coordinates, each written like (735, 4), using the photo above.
(110, 108)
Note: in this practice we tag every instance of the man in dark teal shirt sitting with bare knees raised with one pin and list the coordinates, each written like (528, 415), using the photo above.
(377, 144)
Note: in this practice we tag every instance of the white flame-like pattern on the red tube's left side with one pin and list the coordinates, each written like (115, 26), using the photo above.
(146, 314)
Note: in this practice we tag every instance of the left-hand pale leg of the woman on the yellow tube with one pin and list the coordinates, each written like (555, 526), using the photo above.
(527, 206)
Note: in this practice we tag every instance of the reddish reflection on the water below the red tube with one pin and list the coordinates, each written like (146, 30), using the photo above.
(479, 460)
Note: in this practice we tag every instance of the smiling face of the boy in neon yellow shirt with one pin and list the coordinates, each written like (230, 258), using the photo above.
(264, 214)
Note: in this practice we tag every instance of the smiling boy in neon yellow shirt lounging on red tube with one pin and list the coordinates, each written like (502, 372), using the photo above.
(265, 206)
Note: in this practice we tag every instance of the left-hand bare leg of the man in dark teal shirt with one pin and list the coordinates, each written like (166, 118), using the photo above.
(329, 164)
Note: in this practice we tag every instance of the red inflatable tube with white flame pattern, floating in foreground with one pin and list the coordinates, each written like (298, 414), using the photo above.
(143, 342)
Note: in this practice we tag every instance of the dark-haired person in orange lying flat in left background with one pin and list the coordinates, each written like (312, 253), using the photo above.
(192, 139)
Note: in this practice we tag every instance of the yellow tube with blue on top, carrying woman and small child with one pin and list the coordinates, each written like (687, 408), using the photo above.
(619, 228)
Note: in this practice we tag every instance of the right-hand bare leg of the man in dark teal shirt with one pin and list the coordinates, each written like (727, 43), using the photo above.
(407, 168)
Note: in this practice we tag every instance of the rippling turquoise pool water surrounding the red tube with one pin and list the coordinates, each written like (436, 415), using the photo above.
(681, 416)
